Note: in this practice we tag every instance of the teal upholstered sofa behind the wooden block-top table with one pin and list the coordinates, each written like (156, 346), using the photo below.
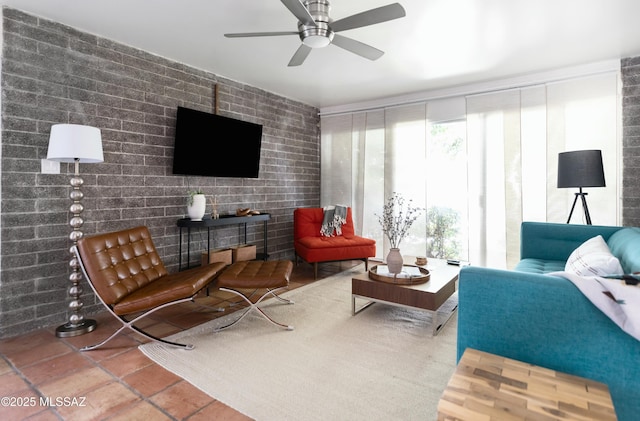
(528, 315)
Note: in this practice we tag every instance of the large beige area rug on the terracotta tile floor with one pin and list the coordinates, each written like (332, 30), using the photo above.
(381, 364)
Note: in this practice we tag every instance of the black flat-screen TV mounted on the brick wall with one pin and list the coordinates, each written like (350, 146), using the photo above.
(215, 146)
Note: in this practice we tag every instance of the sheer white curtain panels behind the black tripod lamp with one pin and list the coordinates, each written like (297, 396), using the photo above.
(518, 134)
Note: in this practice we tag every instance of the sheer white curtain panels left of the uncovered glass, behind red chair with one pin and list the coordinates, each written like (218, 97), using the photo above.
(365, 157)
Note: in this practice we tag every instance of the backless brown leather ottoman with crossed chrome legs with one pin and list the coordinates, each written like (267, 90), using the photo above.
(270, 275)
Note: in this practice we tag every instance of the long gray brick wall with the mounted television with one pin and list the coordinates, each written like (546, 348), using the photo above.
(51, 74)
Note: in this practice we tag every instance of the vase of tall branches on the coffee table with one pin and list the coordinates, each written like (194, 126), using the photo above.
(396, 220)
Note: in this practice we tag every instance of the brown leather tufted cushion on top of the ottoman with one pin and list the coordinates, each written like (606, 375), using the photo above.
(256, 274)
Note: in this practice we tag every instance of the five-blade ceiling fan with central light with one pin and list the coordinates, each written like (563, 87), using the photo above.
(317, 30)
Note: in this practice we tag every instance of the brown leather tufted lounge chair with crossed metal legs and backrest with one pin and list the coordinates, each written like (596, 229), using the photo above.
(127, 275)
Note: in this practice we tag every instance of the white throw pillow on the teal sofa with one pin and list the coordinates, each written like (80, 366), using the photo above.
(593, 258)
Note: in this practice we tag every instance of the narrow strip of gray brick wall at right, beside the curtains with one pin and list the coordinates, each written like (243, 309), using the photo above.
(631, 141)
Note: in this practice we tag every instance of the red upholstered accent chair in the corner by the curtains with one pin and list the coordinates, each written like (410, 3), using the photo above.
(312, 247)
